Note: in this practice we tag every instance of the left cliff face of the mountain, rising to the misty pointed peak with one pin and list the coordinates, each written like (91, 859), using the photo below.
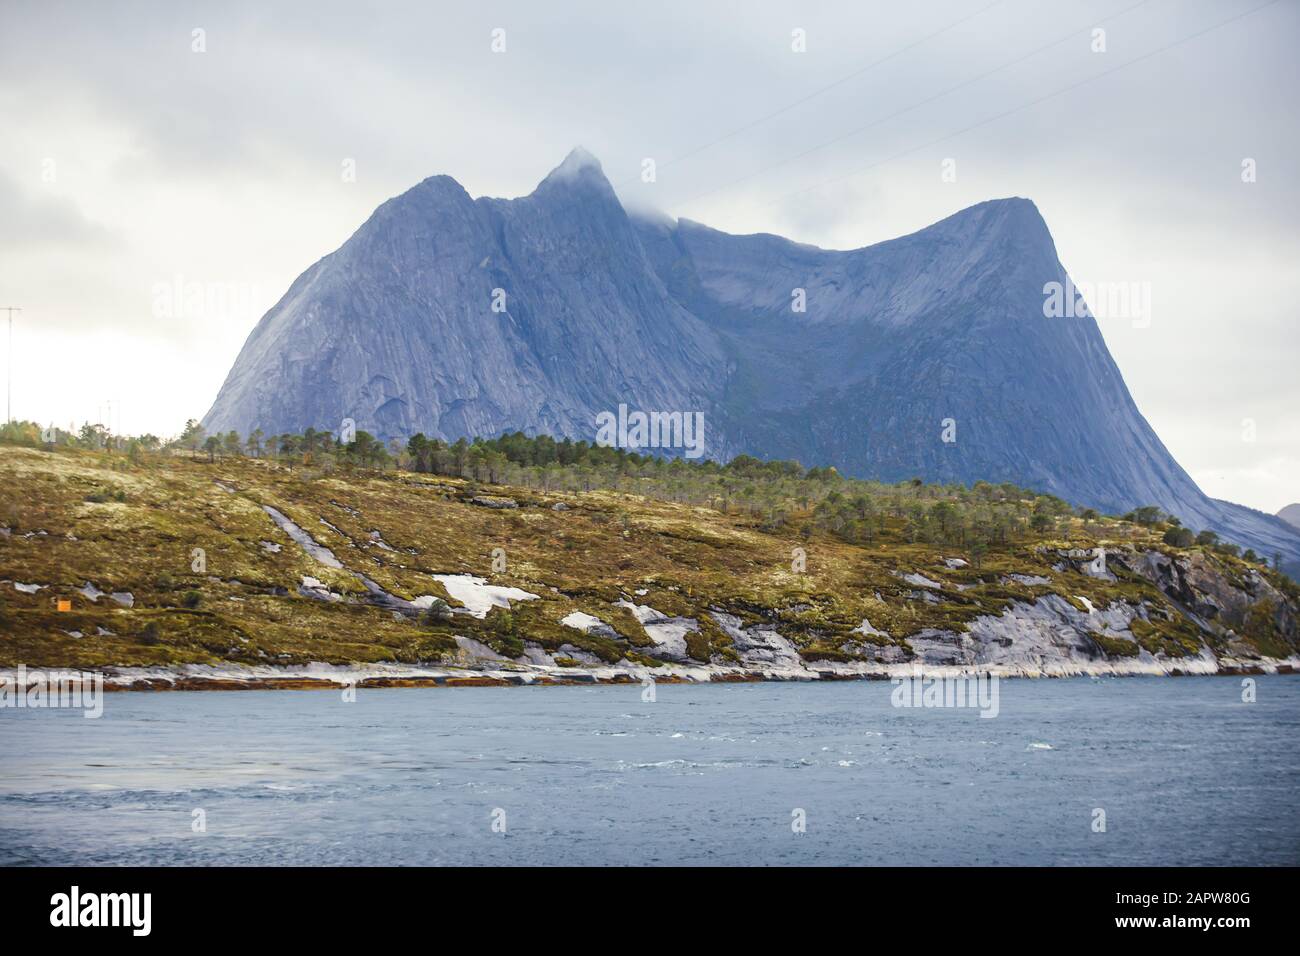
(398, 330)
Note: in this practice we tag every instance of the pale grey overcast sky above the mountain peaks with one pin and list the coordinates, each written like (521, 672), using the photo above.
(133, 163)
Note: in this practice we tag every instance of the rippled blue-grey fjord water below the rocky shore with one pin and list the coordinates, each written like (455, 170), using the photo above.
(1186, 772)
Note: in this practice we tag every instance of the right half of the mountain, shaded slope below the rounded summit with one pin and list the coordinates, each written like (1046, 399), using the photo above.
(898, 339)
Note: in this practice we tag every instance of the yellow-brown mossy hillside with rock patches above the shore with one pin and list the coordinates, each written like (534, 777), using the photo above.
(73, 517)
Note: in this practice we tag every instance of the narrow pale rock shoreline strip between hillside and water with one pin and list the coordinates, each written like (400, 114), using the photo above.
(322, 677)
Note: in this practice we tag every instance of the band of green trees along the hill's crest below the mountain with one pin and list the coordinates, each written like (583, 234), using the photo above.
(781, 495)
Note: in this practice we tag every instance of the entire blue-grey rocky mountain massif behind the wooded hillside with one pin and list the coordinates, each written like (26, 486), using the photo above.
(896, 344)
